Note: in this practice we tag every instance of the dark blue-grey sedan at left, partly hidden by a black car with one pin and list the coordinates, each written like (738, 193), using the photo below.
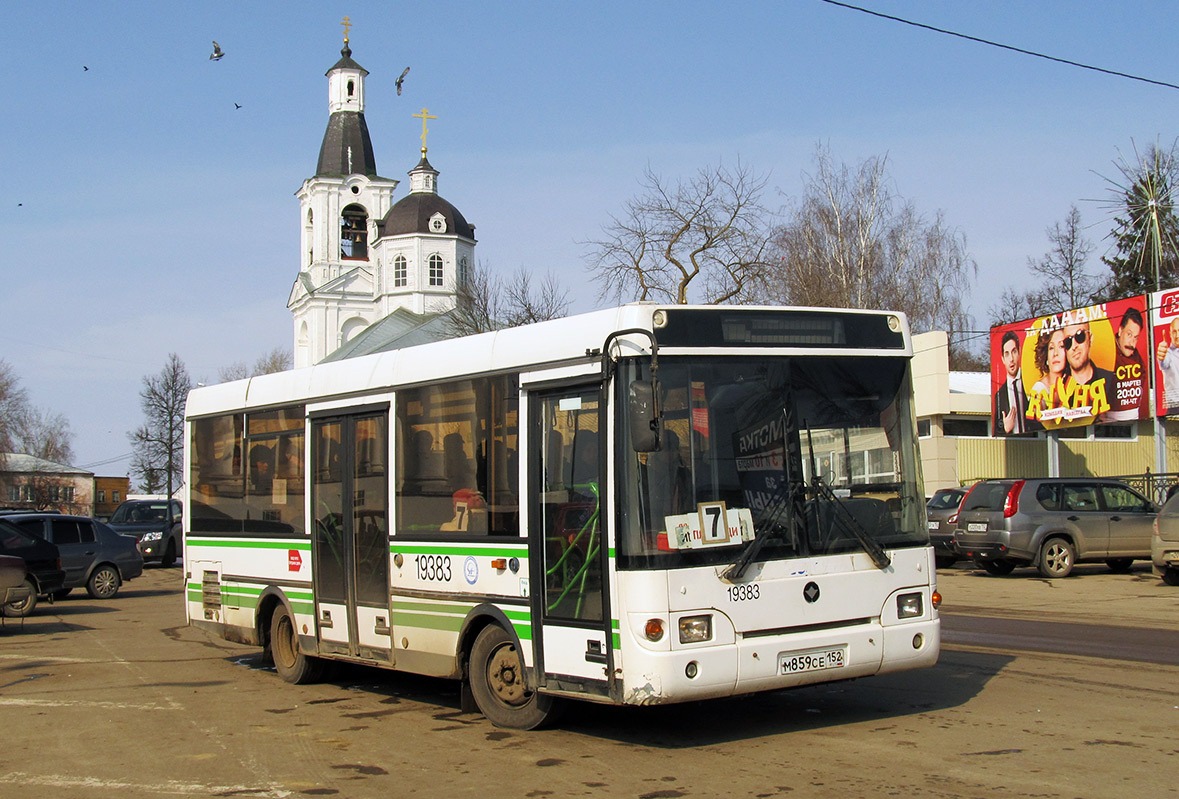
(93, 554)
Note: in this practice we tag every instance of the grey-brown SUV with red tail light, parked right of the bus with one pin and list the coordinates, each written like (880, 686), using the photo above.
(1053, 524)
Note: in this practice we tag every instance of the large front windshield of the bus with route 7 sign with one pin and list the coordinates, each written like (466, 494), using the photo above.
(812, 455)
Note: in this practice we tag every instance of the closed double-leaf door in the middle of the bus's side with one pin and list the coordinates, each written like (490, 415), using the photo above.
(350, 537)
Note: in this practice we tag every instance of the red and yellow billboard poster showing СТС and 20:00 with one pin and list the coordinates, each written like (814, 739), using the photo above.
(1081, 367)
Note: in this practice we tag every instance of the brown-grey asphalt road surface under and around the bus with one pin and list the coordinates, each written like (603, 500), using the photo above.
(121, 699)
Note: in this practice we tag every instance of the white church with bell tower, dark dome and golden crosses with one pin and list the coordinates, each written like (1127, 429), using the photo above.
(374, 274)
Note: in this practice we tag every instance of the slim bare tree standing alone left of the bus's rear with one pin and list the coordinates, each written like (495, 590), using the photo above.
(159, 444)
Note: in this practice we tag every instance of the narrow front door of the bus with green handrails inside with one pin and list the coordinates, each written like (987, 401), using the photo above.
(569, 531)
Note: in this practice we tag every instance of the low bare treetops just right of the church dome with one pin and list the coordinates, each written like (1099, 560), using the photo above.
(488, 302)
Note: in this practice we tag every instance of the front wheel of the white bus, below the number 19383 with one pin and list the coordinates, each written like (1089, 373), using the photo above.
(497, 682)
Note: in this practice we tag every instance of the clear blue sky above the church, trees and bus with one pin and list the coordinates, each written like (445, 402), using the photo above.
(142, 214)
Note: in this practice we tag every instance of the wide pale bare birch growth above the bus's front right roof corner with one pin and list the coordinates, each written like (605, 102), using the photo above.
(853, 242)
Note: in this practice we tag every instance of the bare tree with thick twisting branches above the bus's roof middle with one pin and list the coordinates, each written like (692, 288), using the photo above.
(703, 240)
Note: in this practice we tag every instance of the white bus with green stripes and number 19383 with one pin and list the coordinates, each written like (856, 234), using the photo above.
(636, 506)
